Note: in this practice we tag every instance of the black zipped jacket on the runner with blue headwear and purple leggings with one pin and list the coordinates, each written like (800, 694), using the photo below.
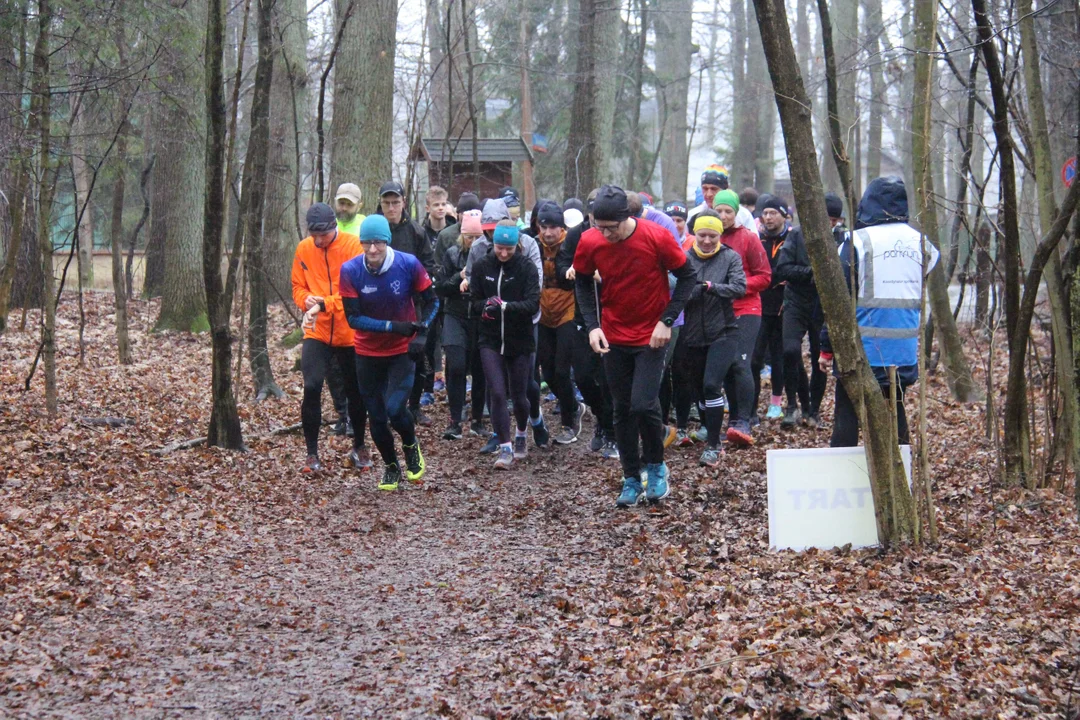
(517, 282)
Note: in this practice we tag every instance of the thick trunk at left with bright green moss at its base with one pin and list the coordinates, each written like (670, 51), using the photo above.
(181, 174)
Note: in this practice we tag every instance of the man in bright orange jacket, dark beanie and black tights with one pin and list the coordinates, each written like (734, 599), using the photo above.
(328, 337)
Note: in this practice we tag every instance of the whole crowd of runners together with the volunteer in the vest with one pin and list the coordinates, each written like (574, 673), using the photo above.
(646, 317)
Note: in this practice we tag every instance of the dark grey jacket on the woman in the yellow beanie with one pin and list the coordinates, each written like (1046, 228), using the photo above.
(709, 313)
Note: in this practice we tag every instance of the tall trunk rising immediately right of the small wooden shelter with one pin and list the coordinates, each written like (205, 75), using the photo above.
(589, 144)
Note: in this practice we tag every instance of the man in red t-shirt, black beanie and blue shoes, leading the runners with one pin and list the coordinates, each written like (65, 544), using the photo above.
(630, 325)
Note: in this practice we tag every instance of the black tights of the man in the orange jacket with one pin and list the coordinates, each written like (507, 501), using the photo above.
(317, 358)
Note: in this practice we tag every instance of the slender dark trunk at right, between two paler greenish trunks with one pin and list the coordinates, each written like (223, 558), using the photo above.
(1018, 452)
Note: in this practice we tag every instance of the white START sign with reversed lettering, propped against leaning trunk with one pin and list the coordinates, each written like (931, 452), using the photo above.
(821, 498)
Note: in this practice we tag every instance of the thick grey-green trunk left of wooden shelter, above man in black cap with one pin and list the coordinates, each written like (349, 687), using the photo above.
(362, 128)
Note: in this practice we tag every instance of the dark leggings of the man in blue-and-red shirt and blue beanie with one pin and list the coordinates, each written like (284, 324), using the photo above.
(385, 385)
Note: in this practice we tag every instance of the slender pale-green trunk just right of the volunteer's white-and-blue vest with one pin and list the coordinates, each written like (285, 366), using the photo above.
(957, 370)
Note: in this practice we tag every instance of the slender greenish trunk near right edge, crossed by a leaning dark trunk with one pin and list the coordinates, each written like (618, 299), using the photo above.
(1069, 430)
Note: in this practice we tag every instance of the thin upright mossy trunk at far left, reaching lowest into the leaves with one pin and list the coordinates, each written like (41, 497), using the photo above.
(42, 114)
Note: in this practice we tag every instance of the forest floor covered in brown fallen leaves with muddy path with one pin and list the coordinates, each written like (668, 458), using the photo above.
(218, 585)
